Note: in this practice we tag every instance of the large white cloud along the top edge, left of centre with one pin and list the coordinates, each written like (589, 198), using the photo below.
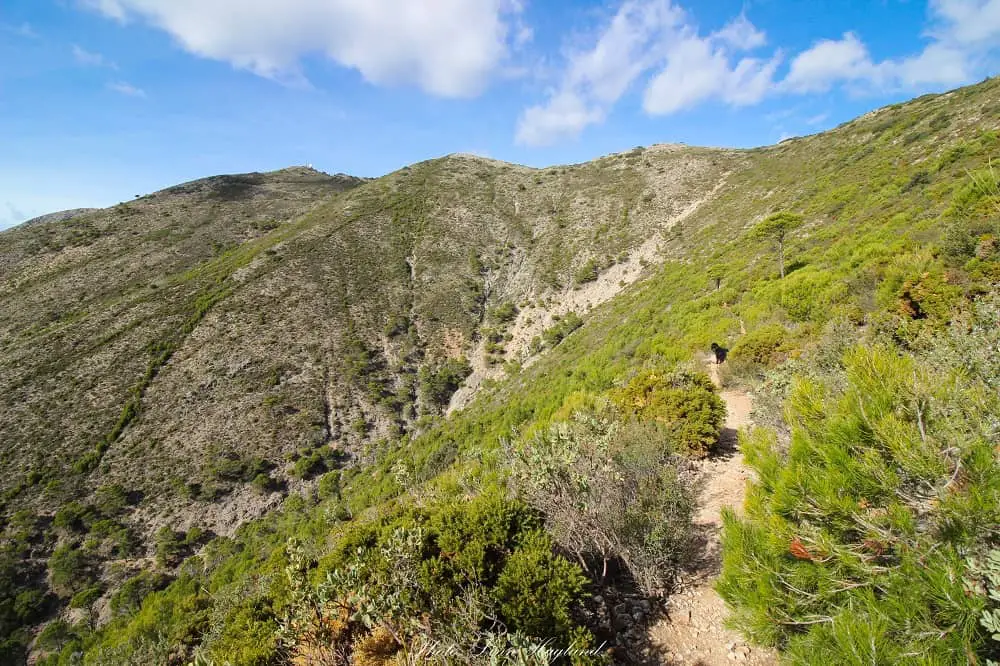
(446, 47)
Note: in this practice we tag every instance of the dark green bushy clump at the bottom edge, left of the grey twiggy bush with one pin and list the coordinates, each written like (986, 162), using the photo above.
(455, 574)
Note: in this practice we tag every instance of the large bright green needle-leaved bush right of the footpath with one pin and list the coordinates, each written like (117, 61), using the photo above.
(850, 550)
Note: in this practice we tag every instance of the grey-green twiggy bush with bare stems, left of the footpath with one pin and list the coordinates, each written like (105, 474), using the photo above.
(609, 491)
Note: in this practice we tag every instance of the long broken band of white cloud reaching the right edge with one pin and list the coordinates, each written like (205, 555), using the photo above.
(657, 40)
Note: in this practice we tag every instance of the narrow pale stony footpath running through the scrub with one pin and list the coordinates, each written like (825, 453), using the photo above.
(693, 631)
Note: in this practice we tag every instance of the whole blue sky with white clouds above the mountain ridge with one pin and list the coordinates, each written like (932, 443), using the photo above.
(104, 99)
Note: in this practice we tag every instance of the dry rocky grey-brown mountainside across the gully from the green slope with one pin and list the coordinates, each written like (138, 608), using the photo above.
(260, 315)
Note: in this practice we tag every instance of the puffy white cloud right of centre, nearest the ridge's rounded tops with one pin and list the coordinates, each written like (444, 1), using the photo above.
(642, 36)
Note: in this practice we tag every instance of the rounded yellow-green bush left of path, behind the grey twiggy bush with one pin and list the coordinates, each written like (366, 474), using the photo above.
(686, 405)
